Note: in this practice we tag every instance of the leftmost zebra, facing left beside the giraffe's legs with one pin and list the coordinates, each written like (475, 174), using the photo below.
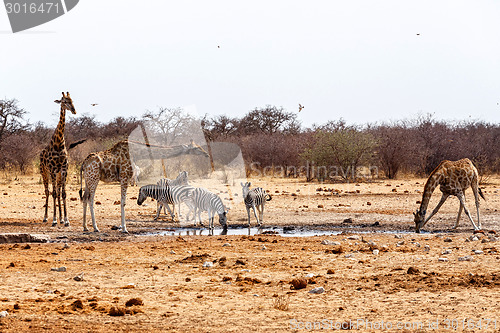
(164, 195)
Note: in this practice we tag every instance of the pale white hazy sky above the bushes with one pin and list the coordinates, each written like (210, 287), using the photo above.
(357, 59)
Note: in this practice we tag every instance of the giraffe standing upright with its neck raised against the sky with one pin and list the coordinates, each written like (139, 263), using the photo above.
(54, 163)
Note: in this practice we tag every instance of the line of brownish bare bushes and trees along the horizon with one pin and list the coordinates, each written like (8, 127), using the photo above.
(273, 141)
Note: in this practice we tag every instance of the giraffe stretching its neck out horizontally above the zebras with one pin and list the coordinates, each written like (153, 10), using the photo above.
(115, 164)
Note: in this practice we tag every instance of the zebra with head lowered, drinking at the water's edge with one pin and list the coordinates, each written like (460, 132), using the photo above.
(203, 200)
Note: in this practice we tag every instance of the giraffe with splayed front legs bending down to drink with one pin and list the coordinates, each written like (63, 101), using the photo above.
(454, 177)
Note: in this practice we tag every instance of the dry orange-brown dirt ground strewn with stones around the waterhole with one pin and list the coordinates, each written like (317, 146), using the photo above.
(381, 277)
